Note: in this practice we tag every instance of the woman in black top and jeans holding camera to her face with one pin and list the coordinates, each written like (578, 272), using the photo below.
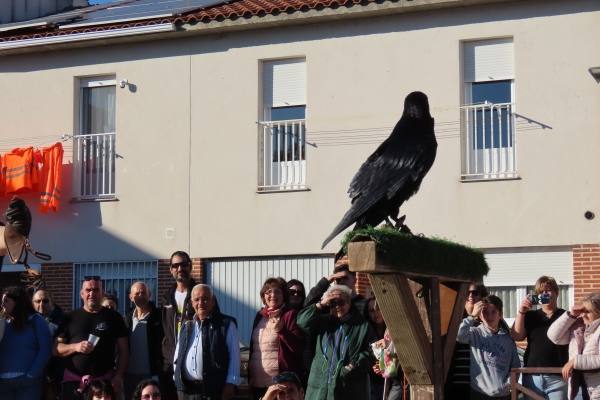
(533, 324)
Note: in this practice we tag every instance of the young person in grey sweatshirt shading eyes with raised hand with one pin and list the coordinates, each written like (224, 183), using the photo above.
(493, 351)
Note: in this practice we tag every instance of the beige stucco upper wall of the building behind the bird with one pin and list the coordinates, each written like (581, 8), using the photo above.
(204, 91)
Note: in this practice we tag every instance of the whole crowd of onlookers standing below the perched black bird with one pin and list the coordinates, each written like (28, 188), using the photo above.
(327, 344)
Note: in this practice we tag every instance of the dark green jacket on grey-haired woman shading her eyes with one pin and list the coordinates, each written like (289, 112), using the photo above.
(348, 379)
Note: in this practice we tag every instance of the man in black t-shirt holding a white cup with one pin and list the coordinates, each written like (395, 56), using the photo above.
(88, 340)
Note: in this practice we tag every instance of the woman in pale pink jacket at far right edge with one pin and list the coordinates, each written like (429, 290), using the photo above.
(579, 329)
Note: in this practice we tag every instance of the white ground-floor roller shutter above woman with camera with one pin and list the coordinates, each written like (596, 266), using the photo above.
(516, 267)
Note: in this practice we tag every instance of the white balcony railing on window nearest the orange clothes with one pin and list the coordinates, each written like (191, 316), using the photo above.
(94, 166)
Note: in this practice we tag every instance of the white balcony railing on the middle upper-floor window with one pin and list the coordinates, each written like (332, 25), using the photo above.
(282, 155)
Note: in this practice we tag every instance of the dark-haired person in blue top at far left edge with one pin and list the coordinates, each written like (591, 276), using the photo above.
(25, 348)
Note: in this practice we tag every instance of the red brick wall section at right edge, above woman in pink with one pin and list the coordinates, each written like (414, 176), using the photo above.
(586, 269)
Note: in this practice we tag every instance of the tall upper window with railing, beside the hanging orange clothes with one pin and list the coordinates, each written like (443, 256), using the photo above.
(94, 146)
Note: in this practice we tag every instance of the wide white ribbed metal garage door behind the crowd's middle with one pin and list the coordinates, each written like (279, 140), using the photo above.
(237, 282)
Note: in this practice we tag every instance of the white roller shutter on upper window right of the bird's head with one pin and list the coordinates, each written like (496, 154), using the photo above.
(489, 60)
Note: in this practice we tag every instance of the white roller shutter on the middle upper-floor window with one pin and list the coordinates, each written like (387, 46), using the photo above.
(284, 83)
